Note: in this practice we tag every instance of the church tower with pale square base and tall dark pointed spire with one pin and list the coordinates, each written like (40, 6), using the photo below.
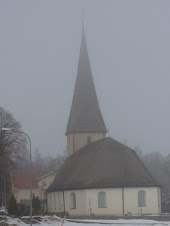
(85, 124)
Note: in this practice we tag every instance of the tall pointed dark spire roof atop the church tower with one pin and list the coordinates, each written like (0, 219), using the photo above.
(85, 114)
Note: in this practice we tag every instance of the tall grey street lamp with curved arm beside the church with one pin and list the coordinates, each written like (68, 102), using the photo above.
(15, 131)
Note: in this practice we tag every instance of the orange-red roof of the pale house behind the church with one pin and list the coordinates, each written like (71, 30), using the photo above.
(22, 180)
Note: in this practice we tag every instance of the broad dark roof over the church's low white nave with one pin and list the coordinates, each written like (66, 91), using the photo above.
(102, 164)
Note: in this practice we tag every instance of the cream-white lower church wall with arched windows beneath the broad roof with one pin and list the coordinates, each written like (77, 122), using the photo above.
(87, 202)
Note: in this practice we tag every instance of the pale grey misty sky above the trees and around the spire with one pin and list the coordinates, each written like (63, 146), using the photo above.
(129, 49)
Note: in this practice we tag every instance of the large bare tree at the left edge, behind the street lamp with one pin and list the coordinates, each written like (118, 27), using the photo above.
(12, 146)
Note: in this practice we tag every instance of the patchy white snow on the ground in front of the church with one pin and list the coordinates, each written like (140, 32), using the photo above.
(55, 221)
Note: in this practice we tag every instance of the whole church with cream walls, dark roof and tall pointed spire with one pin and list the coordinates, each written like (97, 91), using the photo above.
(101, 176)
